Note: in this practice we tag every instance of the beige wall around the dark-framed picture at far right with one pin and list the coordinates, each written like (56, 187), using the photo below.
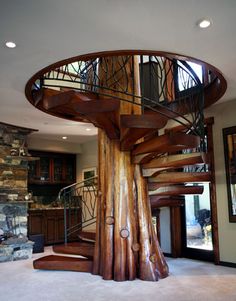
(225, 116)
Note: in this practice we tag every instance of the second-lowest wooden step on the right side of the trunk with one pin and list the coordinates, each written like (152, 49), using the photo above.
(174, 190)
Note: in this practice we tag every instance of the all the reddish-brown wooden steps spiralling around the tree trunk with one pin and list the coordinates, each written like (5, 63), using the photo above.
(139, 135)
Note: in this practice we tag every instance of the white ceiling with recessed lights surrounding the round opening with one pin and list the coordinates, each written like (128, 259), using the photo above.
(47, 31)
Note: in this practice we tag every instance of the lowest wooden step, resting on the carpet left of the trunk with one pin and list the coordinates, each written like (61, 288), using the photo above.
(63, 263)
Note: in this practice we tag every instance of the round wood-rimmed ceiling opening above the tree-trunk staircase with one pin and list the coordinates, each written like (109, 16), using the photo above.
(171, 85)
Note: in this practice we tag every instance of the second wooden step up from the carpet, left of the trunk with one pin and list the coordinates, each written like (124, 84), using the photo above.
(76, 248)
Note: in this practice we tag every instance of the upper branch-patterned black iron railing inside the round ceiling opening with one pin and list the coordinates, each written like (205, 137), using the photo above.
(168, 86)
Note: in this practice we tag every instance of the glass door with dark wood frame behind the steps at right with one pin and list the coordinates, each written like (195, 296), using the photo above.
(194, 226)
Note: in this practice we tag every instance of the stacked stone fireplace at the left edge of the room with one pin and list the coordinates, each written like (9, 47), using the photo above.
(14, 196)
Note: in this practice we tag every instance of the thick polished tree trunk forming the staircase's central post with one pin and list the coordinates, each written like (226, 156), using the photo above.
(126, 245)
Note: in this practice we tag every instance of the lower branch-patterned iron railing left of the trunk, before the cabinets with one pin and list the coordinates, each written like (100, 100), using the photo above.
(80, 202)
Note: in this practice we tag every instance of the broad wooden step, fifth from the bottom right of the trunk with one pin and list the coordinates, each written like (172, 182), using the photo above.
(170, 142)
